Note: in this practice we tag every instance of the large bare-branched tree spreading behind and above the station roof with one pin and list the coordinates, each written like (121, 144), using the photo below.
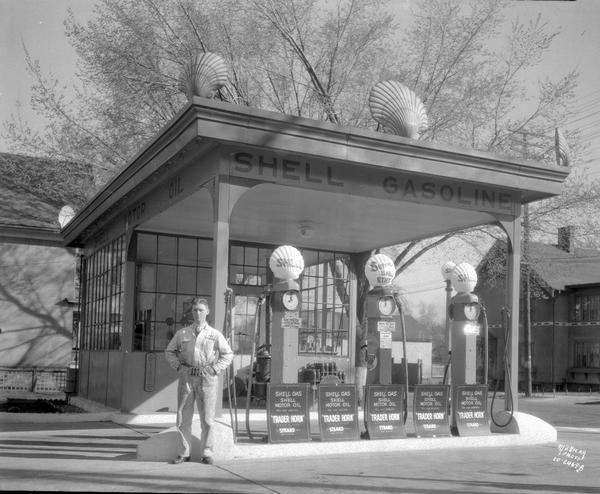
(313, 58)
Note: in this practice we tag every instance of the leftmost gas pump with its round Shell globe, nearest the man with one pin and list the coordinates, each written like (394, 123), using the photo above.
(287, 265)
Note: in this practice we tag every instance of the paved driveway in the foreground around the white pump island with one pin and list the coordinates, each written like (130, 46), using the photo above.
(101, 456)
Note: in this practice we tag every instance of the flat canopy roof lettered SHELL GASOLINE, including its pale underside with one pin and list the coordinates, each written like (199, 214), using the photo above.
(302, 182)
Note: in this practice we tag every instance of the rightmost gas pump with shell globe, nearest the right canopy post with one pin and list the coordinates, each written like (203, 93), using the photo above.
(464, 311)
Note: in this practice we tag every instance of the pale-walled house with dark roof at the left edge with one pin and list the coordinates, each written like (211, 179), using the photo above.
(38, 293)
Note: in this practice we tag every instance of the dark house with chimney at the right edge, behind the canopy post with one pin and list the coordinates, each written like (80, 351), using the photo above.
(565, 314)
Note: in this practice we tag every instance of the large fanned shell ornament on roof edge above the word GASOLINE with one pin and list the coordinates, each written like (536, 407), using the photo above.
(398, 109)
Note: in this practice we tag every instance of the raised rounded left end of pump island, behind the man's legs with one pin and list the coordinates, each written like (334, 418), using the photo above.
(164, 445)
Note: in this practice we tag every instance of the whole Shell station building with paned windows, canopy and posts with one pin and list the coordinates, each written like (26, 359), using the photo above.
(201, 208)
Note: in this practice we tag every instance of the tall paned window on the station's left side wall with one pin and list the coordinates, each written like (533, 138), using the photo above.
(102, 301)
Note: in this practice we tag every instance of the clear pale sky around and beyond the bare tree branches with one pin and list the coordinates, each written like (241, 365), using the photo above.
(39, 25)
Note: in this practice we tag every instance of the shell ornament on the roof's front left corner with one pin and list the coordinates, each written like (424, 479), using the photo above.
(203, 75)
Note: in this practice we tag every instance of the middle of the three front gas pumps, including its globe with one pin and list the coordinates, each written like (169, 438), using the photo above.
(381, 309)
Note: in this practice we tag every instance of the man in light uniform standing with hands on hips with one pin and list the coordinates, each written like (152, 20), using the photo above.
(198, 353)
